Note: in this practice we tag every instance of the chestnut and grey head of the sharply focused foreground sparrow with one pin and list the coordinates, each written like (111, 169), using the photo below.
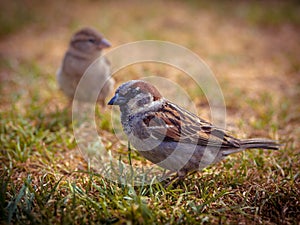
(135, 94)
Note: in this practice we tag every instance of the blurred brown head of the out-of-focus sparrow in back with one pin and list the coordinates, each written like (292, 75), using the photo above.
(88, 40)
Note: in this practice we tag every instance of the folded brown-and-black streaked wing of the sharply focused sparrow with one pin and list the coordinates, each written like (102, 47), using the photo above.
(175, 124)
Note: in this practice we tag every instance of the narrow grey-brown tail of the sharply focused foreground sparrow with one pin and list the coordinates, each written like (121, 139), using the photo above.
(253, 143)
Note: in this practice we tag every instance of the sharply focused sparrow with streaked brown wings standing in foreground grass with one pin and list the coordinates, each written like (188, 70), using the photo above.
(171, 136)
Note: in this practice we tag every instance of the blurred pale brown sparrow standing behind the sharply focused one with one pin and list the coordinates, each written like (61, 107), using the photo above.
(85, 47)
